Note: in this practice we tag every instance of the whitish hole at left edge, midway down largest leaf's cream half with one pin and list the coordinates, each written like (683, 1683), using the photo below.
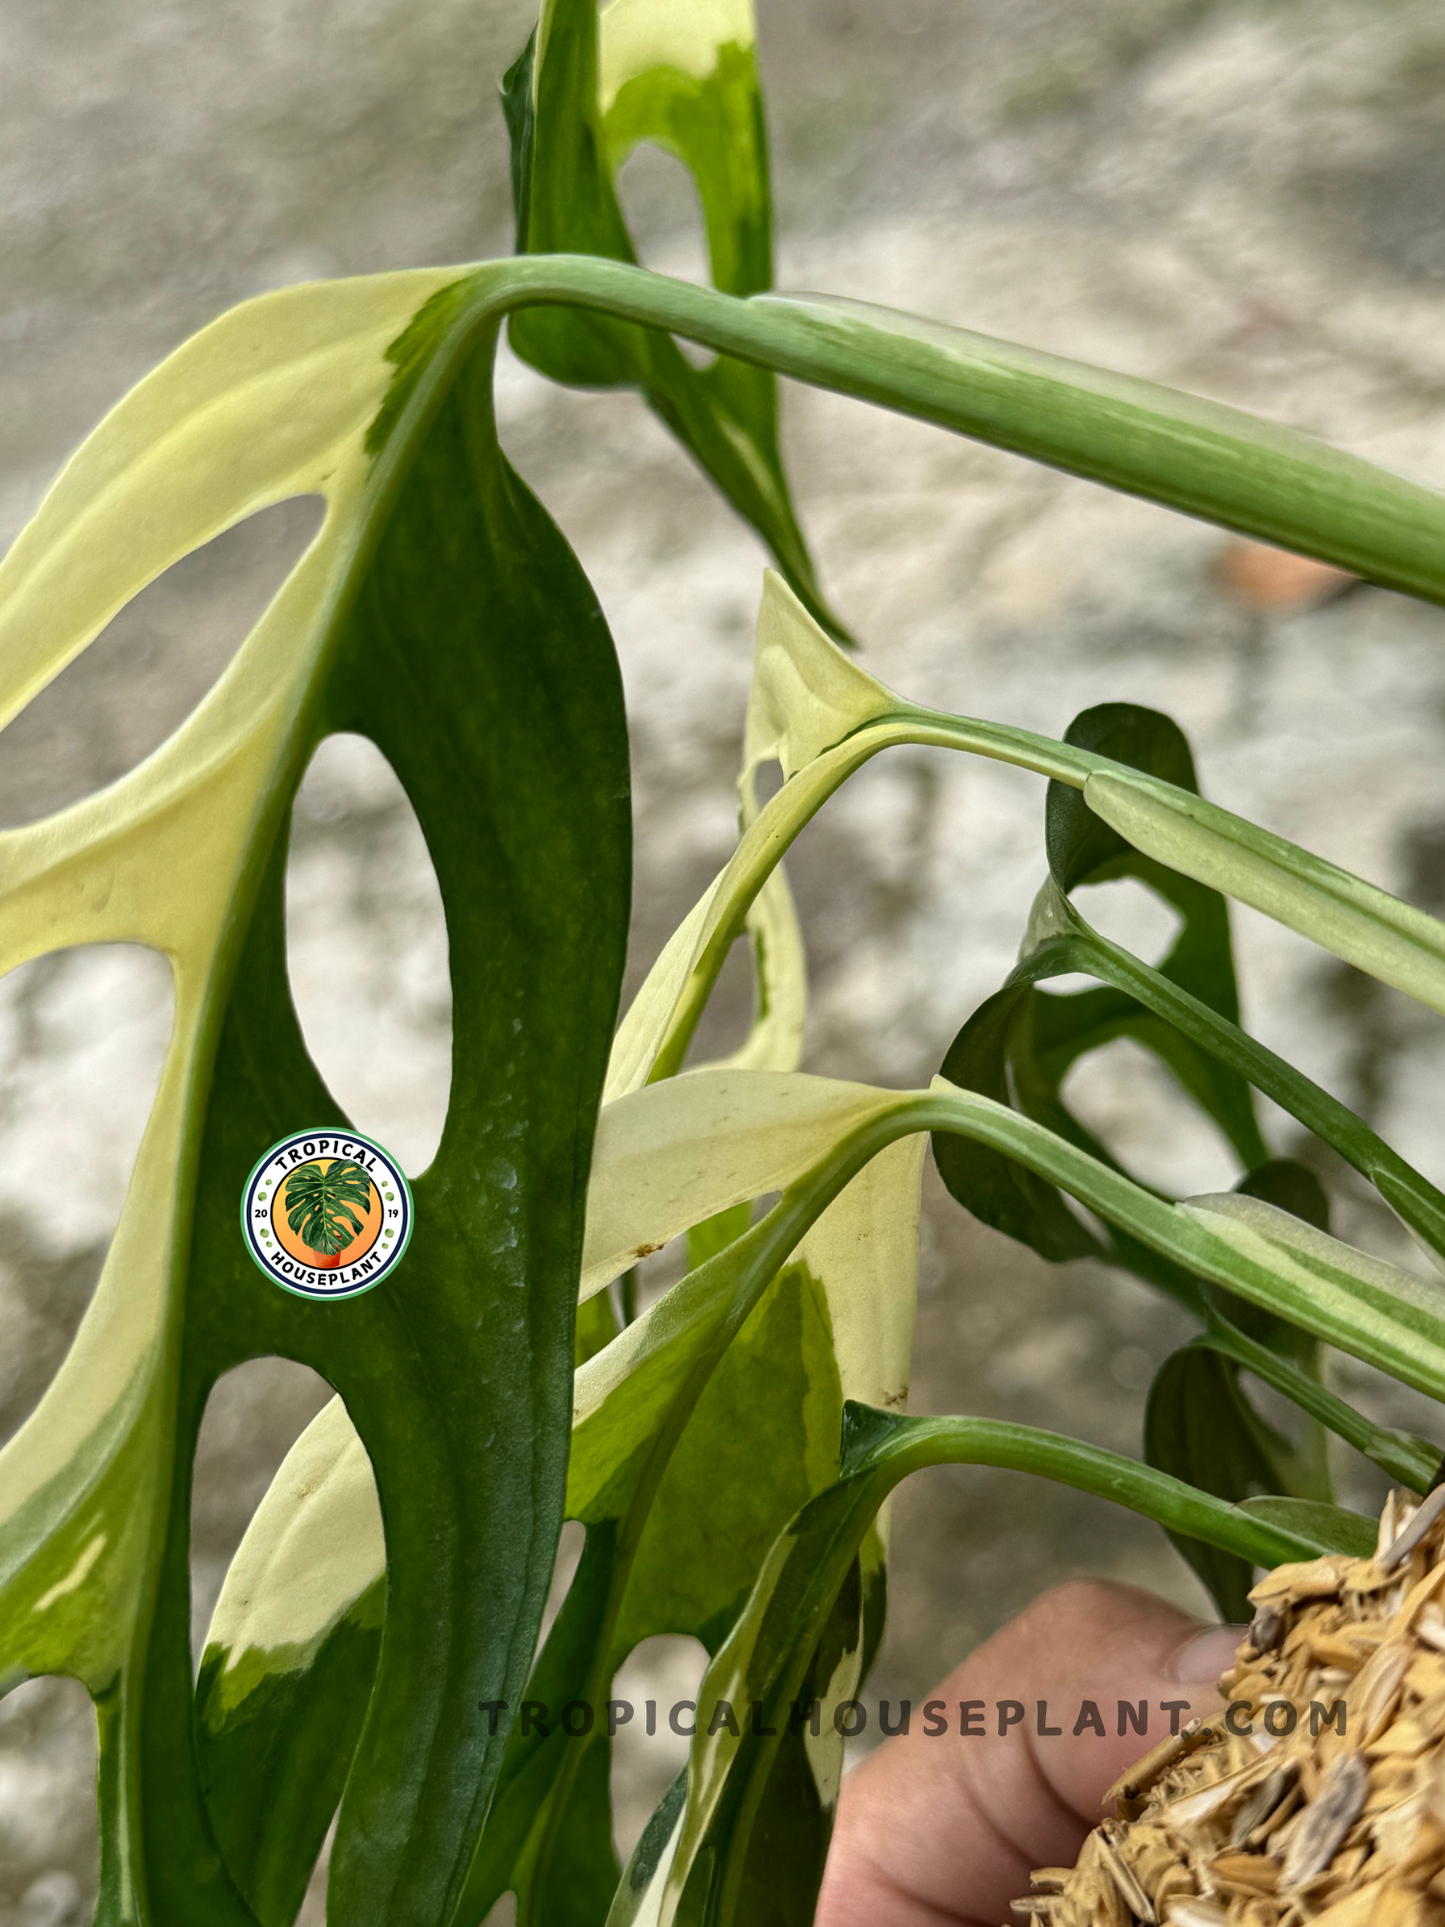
(84, 1042)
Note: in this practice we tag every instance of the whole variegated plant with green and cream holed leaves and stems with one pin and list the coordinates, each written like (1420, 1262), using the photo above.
(727, 1452)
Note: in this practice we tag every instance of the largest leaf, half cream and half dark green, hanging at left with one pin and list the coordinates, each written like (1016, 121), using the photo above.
(463, 641)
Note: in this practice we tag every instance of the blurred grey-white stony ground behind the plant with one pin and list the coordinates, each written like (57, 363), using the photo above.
(1238, 199)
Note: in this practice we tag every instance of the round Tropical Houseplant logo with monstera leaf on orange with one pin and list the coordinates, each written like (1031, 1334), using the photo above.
(327, 1215)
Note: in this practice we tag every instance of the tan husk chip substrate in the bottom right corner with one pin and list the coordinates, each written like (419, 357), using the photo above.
(1301, 1824)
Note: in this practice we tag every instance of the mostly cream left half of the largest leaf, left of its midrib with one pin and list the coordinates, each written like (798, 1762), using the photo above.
(215, 435)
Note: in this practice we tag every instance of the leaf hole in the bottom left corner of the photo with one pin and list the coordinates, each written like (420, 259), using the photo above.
(51, 1864)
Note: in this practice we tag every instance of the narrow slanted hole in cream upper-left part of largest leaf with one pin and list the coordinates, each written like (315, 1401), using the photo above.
(151, 666)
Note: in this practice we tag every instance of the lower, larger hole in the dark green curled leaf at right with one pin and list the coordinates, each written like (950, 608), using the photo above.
(1128, 1099)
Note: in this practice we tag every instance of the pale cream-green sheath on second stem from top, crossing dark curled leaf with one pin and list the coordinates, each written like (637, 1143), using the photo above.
(1336, 911)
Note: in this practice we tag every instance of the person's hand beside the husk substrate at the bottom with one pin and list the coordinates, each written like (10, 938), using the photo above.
(935, 1832)
